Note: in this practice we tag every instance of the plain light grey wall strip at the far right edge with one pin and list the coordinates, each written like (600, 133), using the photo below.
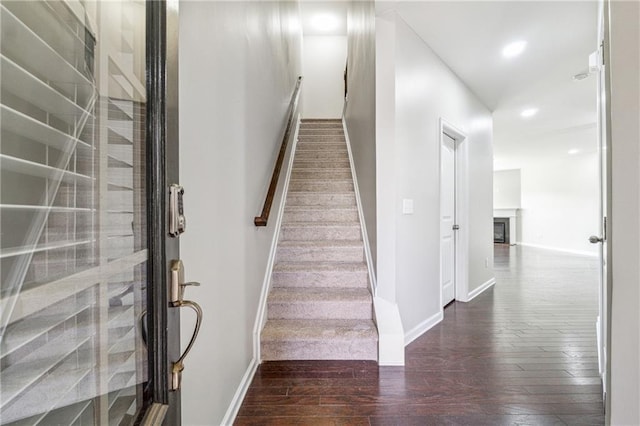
(625, 220)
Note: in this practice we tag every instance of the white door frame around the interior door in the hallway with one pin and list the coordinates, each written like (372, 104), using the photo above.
(461, 285)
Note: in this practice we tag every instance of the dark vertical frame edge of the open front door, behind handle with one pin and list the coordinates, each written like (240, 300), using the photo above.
(162, 170)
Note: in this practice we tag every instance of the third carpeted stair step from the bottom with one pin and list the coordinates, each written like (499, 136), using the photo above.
(320, 274)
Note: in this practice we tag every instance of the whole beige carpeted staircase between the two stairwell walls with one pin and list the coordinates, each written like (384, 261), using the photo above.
(320, 307)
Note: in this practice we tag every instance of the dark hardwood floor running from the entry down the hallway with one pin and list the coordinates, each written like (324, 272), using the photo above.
(523, 352)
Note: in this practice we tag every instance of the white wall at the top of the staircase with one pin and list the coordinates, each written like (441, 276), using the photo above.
(323, 62)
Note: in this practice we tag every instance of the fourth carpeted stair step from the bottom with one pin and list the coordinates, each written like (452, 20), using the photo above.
(320, 251)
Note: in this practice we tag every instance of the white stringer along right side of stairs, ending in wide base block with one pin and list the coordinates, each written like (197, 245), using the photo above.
(386, 314)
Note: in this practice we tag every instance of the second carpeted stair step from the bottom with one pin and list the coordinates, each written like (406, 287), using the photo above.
(319, 303)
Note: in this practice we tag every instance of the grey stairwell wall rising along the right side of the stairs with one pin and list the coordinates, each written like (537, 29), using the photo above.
(360, 113)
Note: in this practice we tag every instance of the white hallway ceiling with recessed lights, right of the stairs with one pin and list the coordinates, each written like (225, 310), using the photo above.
(469, 37)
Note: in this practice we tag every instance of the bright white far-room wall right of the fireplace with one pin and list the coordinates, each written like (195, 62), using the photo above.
(560, 200)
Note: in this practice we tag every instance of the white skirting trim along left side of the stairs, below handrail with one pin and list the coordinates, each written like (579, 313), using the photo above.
(261, 315)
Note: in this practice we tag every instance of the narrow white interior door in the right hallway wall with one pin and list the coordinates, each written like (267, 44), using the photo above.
(447, 218)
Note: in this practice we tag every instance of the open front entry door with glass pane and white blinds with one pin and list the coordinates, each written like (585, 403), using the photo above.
(83, 249)
